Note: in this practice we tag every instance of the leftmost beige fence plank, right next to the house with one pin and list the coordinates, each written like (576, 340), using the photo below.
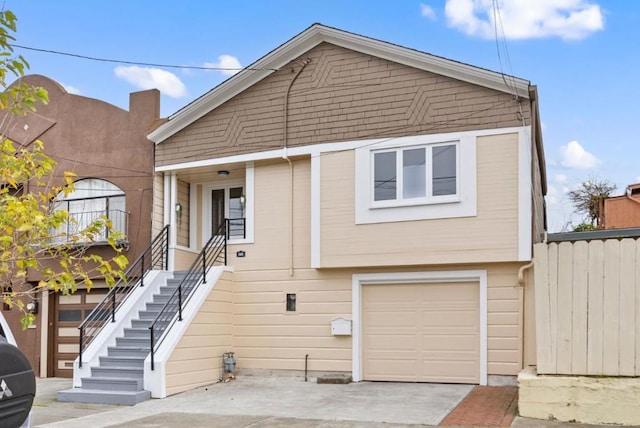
(542, 307)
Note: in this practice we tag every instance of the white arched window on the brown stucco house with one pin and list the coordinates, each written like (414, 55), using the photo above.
(91, 199)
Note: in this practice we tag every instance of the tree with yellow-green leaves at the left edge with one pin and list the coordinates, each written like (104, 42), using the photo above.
(32, 237)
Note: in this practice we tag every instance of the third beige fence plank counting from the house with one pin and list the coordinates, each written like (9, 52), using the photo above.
(580, 302)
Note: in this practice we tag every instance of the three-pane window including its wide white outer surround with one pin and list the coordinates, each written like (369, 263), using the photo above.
(416, 178)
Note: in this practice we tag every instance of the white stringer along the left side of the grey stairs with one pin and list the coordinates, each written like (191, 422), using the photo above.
(107, 336)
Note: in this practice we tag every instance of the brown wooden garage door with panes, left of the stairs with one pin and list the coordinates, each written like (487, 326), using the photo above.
(69, 313)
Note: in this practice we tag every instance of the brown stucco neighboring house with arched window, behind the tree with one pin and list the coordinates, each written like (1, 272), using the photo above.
(106, 147)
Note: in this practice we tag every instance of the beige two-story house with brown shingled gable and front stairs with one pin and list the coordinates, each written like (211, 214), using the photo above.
(378, 204)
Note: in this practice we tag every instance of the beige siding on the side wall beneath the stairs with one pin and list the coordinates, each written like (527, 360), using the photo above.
(197, 359)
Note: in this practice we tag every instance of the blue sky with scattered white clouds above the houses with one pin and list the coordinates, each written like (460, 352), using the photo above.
(583, 55)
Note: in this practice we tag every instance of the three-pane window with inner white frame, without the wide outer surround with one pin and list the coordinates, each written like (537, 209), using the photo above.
(415, 175)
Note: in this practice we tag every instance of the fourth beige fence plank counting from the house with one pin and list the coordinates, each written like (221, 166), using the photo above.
(595, 308)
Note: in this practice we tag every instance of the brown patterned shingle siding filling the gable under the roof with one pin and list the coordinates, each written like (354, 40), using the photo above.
(338, 97)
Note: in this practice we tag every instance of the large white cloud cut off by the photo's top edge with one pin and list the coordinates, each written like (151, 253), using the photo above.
(526, 19)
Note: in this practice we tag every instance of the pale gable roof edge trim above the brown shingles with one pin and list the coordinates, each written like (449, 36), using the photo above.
(310, 38)
